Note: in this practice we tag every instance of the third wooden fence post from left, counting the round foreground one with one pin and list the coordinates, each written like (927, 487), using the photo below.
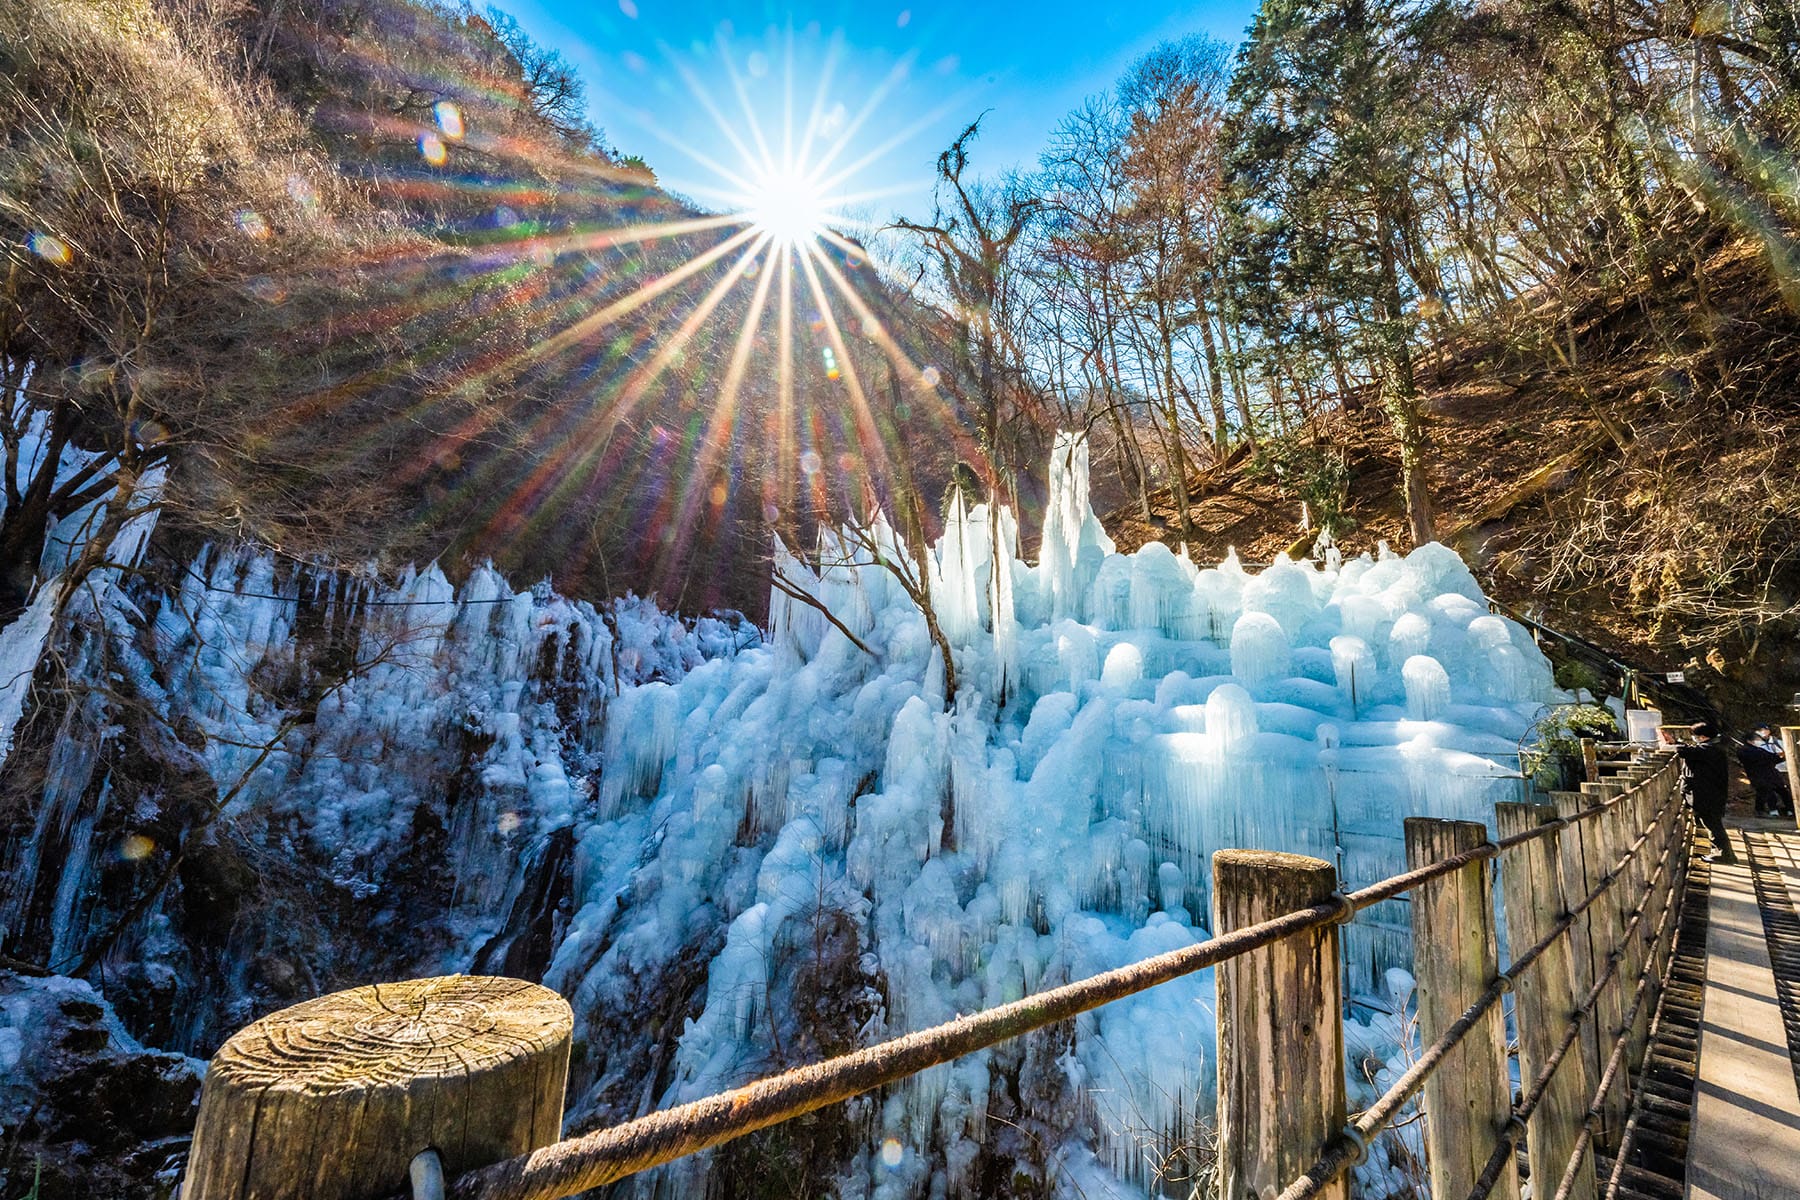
(1455, 958)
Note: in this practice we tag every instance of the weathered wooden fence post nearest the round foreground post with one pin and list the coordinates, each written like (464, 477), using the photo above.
(1281, 1028)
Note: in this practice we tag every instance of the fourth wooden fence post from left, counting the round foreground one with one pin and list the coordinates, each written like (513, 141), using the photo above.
(1545, 998)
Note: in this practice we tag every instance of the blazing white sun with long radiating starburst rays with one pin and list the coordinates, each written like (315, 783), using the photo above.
(701, 336)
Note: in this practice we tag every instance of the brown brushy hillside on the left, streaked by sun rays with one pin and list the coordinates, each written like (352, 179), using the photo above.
(390, 300)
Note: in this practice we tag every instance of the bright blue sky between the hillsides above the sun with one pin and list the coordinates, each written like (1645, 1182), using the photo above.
(921, 69)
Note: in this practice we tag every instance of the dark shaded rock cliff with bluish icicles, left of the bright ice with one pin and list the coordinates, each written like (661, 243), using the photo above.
(271, 784)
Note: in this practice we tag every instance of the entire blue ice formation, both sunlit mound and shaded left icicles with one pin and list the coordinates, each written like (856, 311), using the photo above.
(784, 850)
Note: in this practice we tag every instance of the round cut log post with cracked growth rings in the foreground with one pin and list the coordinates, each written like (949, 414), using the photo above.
(330, 1100)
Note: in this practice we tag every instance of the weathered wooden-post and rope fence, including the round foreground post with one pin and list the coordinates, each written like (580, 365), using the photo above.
(1590, 893)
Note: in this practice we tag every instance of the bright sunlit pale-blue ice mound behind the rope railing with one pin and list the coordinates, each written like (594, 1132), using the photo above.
(1120, 719)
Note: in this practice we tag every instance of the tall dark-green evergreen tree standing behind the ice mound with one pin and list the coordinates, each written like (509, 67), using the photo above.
(1327, 127)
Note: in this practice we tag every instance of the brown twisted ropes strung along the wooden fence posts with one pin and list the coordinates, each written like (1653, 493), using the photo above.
(607, 1156)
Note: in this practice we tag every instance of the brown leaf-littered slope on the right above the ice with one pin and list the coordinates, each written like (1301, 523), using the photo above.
(1639, 492)
